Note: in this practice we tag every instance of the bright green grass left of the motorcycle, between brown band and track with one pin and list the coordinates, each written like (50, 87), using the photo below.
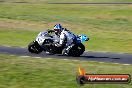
(21, 38)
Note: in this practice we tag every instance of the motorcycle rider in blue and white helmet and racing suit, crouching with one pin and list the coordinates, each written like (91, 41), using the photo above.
(66, 38)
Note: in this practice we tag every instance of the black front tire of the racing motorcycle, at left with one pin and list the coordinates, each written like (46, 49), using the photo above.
(34, 47)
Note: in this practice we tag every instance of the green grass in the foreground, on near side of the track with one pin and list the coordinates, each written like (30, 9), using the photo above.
(29, 72)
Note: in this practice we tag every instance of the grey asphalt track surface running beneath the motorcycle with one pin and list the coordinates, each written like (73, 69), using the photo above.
(88, 56)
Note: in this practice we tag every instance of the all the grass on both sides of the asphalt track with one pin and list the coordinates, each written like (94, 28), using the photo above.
(109, 29)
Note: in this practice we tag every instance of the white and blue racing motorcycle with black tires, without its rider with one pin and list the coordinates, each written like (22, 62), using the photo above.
(45, 41)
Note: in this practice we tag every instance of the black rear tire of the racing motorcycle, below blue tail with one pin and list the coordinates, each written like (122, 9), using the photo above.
(76, 50)
